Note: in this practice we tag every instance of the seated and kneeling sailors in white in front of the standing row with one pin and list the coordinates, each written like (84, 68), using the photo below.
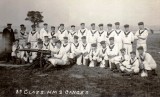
(88, 54)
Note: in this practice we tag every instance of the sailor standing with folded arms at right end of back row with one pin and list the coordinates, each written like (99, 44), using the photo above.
(141, 36)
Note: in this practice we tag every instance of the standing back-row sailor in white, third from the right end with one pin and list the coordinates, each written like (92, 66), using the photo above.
(119, 36)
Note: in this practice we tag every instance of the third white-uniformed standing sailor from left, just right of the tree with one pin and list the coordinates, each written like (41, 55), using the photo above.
(44, 32)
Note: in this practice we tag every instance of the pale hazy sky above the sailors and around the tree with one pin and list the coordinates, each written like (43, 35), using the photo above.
(76, 11)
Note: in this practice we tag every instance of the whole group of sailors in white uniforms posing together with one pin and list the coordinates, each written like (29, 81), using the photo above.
(91, 47)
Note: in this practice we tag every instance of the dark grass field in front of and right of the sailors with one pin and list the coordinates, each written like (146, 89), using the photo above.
(96, 82)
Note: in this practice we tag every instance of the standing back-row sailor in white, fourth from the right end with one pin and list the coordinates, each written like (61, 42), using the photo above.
(110, 33)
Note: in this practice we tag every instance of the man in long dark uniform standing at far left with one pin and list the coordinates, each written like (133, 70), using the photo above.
(8, 39)
